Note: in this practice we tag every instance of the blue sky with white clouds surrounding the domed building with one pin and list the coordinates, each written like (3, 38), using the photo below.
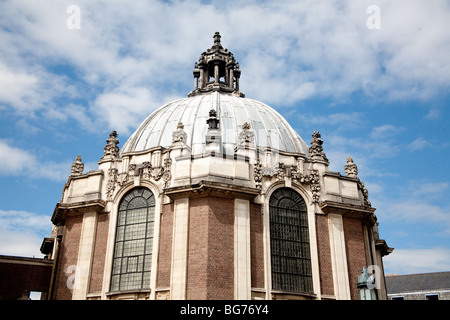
(380, 95)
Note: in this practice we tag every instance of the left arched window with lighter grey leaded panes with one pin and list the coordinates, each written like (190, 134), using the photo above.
(134, 240)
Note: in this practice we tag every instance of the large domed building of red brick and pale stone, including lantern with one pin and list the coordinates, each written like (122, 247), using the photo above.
(214, 196)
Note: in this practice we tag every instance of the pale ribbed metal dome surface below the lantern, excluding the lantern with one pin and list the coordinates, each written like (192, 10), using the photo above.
(270, 129)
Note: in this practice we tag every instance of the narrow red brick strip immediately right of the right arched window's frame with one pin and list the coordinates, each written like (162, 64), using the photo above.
(323, 245)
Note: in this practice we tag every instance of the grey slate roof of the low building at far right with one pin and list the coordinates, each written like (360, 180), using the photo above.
(418, 282)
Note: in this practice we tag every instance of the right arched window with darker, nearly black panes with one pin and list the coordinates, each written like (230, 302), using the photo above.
(289, 242)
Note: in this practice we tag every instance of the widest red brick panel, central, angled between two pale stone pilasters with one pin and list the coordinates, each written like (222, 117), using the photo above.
(210, 273)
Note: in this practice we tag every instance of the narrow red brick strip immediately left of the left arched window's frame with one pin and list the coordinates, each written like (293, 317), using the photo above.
(98, 263)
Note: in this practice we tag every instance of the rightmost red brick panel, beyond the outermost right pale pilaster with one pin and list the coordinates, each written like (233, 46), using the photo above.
(356, 252)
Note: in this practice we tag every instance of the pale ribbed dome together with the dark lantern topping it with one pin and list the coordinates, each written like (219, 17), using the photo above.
(233, 116)
